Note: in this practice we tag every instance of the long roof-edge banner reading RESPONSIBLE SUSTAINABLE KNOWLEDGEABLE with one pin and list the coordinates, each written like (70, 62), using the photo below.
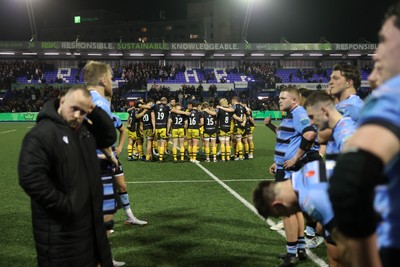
(14, 45)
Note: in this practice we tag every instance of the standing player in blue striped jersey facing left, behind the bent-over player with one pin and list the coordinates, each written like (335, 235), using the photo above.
(294, 140)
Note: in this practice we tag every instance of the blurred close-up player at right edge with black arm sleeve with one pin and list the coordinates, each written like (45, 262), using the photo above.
(366, 179)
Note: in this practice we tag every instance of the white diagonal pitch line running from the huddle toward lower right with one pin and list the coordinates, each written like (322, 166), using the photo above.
(320, 262)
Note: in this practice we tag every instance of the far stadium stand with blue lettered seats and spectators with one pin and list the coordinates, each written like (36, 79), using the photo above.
(39, 82)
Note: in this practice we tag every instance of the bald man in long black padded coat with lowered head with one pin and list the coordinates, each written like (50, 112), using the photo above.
(58, 168)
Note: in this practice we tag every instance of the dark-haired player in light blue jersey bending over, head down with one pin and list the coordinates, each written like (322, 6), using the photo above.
(307, 191)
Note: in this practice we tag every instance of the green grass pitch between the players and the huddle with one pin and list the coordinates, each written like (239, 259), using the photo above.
(193, 220)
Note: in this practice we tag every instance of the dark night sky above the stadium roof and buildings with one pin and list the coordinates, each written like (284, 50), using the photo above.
(297, 20)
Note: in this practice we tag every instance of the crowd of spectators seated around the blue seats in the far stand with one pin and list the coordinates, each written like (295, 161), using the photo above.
(136, 75)
